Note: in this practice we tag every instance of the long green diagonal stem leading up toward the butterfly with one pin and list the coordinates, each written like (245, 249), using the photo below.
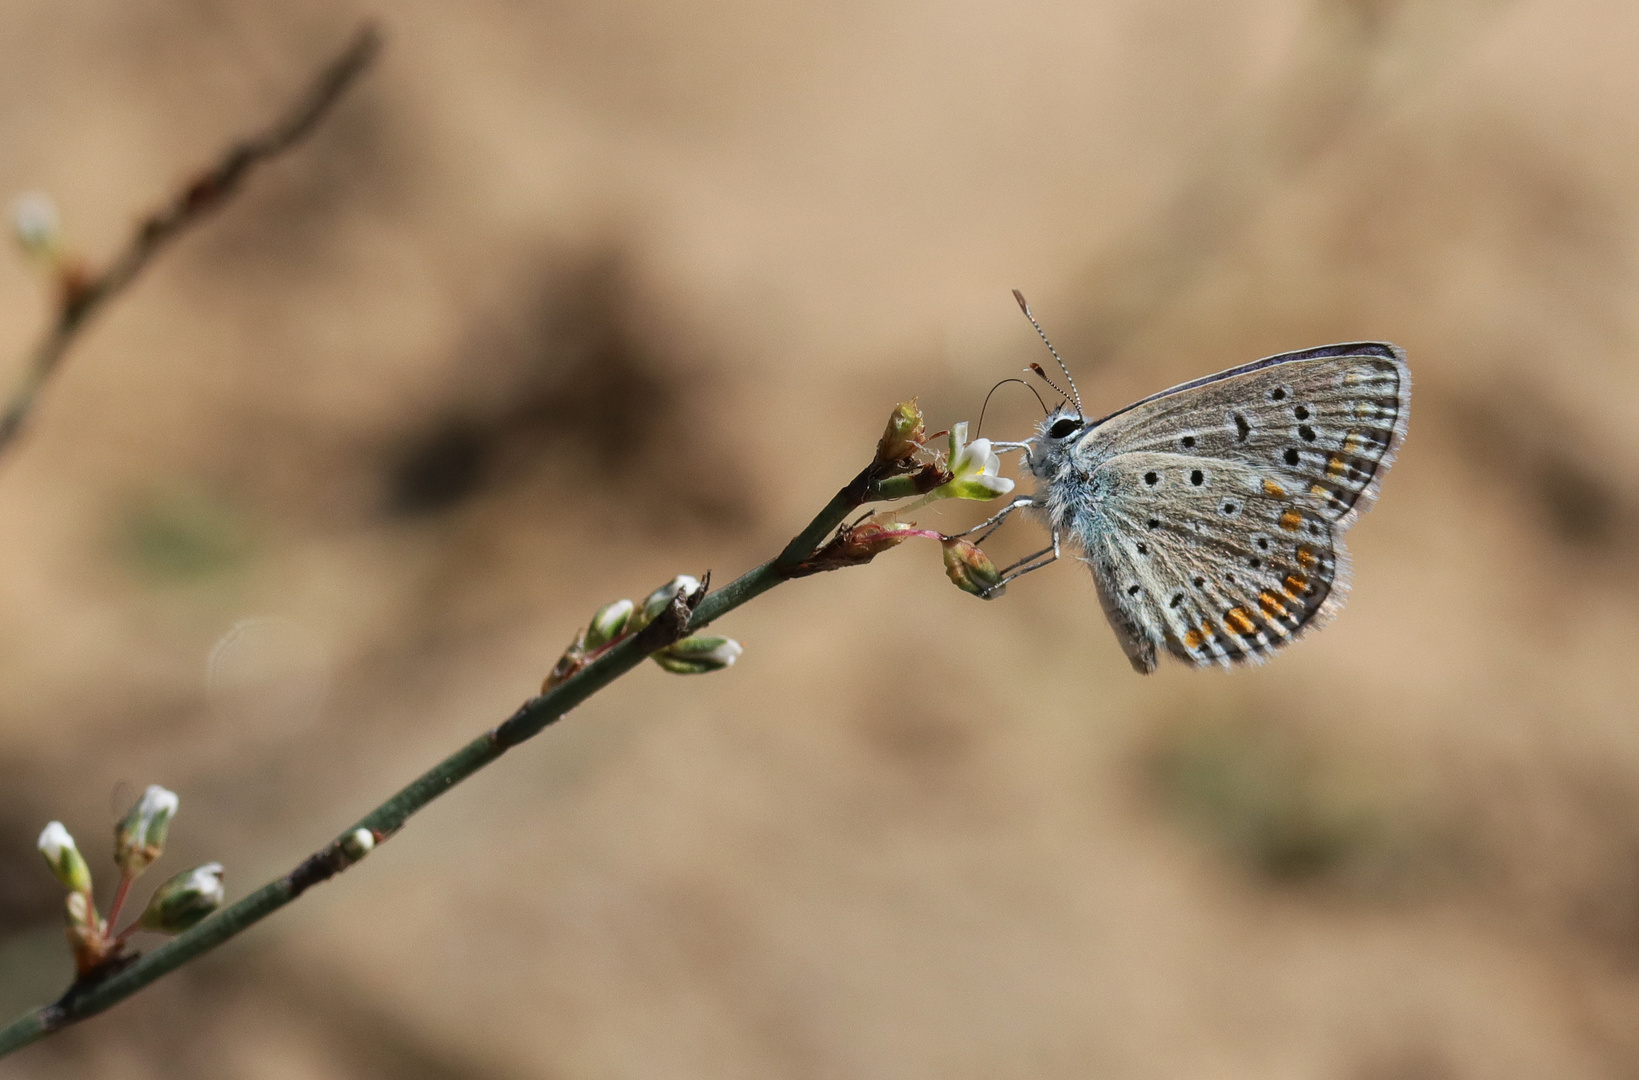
(96, 994)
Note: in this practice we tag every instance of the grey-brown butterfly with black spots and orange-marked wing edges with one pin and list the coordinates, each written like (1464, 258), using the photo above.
(1214, 514)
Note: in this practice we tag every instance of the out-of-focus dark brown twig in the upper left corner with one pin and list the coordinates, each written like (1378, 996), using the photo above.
(211, 189)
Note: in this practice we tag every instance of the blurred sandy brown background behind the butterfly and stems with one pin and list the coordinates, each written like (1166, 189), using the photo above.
(573, 297)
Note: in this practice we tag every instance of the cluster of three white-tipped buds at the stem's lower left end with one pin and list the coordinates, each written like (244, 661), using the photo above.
(138, 842)
